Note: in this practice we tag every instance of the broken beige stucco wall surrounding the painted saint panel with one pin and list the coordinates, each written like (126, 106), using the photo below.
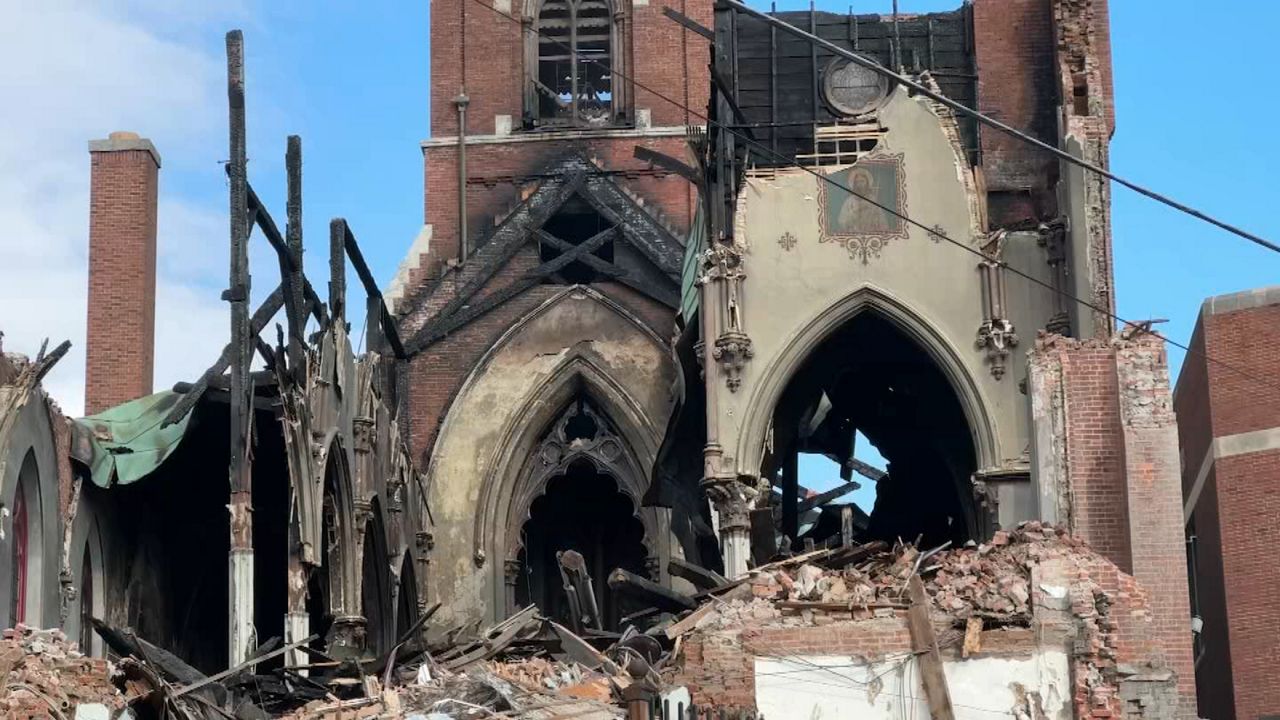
(802, 282)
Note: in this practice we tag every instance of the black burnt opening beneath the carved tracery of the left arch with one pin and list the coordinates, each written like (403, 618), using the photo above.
(582, 511)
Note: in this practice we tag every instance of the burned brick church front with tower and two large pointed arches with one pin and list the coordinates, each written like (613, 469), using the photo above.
(625, 332)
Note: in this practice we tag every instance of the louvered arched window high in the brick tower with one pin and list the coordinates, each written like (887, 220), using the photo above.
(574, 83)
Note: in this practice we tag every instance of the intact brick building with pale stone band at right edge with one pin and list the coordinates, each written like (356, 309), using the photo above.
(1228, 404)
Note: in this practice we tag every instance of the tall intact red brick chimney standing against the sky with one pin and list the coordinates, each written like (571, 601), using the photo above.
(122, 271)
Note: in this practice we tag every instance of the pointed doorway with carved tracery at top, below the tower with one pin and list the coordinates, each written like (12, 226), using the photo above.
(577, 503)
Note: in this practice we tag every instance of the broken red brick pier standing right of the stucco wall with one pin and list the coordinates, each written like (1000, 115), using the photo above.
(1123, 476)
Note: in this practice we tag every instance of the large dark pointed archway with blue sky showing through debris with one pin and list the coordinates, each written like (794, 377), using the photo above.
(870, 380)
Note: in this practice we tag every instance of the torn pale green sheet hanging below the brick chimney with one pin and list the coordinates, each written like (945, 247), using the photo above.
(127, 443)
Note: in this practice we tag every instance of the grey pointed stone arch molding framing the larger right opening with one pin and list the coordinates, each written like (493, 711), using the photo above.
(797, 349)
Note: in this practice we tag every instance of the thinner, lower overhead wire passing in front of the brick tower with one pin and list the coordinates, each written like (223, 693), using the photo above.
(932, 233)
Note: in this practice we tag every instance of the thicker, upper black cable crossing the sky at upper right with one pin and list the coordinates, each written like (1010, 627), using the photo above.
(991, 122)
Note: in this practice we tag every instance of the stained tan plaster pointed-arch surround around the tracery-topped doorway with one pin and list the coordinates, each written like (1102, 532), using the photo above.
(578, 340)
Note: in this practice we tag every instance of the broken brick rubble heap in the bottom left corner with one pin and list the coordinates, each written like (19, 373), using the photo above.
(44, 676)
